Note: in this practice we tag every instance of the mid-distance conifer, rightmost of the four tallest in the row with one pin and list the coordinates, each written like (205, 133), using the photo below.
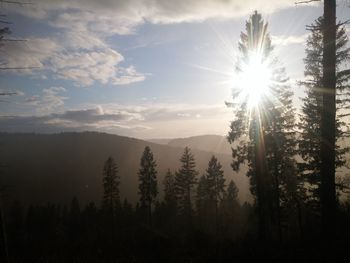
(216, 184)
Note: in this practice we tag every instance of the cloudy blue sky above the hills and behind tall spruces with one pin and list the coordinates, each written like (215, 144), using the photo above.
(138, 68)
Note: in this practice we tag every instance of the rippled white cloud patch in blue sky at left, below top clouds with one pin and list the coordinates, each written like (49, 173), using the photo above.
(66, 60)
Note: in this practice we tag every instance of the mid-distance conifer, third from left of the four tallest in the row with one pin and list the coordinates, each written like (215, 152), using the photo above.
(185, 179)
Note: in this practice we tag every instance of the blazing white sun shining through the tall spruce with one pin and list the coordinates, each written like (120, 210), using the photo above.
(254, 80)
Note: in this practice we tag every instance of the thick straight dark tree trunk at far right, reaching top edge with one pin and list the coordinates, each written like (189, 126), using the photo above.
(328, 194)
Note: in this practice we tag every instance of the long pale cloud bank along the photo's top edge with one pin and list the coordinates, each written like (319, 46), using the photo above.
(122, 16)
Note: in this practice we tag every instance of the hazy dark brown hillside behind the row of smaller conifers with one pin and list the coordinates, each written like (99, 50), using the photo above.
(41, 168)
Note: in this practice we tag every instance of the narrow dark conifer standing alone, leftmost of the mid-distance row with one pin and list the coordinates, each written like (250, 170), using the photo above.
(111, 199)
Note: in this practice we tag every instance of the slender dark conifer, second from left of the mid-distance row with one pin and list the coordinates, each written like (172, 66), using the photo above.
(148, 182)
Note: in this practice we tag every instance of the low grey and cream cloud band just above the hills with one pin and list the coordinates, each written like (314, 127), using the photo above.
(147, 120)
